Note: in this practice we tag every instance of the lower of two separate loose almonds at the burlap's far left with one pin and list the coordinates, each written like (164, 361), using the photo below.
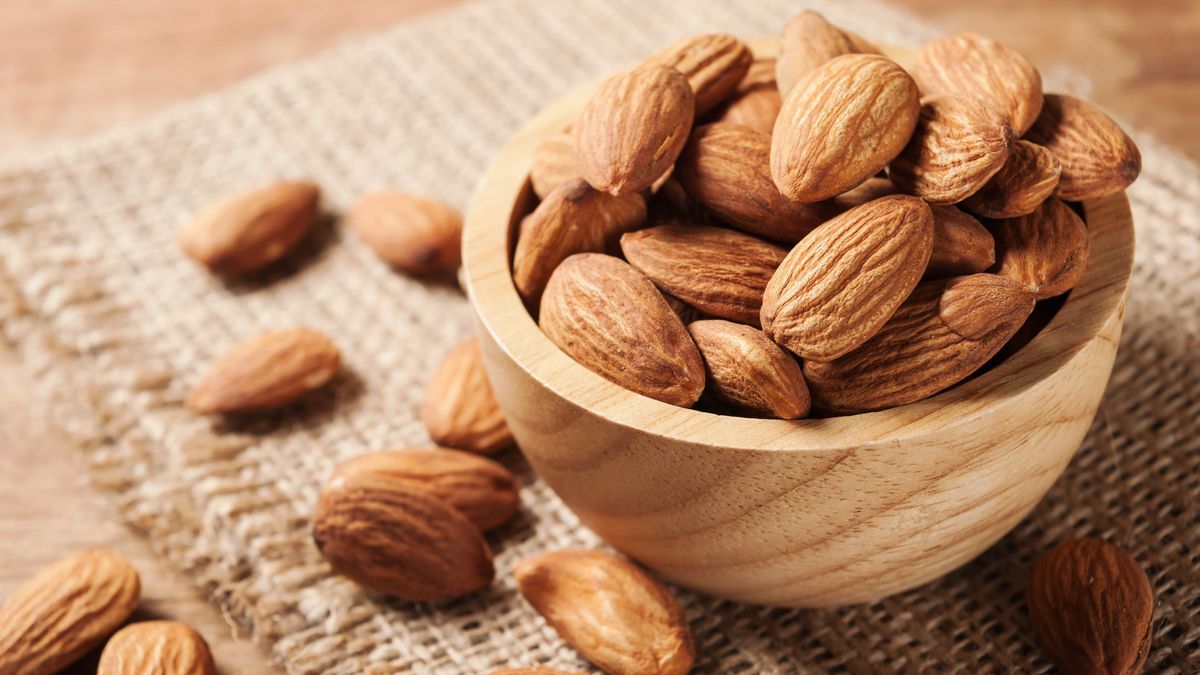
(269, 371)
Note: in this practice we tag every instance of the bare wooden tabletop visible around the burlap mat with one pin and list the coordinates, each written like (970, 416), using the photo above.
(69, 68)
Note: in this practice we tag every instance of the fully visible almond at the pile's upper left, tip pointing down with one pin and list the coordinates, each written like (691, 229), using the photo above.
(634, 128)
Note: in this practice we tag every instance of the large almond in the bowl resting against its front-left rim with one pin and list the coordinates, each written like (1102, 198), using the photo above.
(611, 319)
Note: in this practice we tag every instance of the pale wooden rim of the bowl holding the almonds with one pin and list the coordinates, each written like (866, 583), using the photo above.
(505, 196)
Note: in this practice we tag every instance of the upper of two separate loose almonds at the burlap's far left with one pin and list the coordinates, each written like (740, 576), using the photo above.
(245, 234)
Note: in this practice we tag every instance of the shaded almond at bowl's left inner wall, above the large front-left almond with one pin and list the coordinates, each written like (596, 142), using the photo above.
(574, 219)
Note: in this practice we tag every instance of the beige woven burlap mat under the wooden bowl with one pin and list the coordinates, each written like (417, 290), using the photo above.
(117, 326)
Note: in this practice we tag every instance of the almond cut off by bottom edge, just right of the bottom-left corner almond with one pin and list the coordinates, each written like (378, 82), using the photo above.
(157, 648)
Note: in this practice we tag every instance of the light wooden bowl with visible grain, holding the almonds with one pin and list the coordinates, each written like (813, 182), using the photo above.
(807, 513)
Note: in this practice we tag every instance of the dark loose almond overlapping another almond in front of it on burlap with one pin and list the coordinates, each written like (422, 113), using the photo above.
(400, 540)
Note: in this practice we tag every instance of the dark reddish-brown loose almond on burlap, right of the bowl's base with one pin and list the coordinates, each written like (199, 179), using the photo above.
(1093, 608)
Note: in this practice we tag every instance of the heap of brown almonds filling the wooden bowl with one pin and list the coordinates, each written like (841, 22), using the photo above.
(824, 231)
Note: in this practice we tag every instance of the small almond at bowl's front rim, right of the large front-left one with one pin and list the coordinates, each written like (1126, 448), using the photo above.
(749, 372)
